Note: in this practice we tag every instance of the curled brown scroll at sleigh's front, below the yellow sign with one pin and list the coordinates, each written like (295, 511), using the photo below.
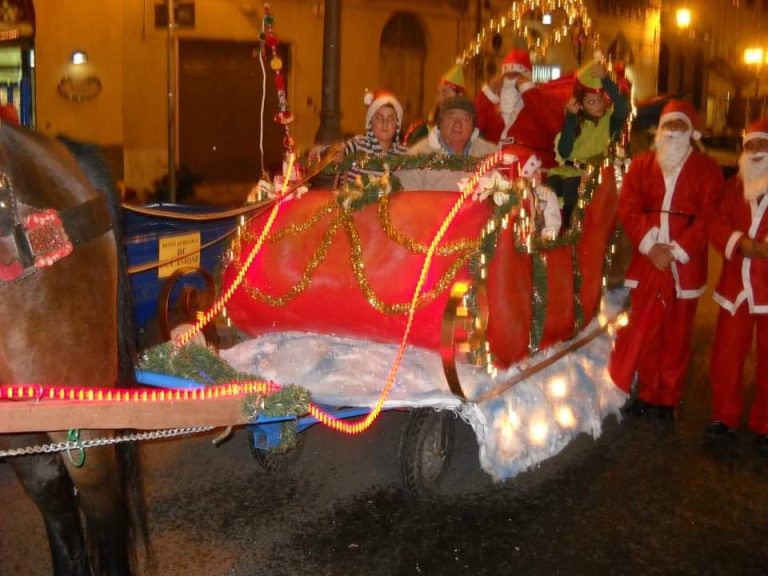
(189, 302)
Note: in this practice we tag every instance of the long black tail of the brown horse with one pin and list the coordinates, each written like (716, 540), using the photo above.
(95, 166)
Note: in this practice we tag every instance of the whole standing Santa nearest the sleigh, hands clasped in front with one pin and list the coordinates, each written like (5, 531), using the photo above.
(666, 202)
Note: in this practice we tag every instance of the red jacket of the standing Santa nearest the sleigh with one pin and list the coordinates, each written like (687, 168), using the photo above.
(649, 214)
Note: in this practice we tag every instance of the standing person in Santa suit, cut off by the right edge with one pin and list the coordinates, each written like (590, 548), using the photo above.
(740, 232)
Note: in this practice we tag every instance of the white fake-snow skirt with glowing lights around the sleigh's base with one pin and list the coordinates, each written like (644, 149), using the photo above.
(570, 397)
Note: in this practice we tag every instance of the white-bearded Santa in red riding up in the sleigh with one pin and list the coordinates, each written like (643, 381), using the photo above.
(512, 110)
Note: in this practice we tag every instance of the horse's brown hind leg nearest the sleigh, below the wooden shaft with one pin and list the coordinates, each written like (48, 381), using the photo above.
(101, 499)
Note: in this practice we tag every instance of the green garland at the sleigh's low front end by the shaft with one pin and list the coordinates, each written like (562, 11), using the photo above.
(201, 364)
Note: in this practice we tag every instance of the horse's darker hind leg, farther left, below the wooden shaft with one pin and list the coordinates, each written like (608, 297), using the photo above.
(47, 483)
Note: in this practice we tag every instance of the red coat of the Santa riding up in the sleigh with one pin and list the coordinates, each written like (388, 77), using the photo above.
(535, 127)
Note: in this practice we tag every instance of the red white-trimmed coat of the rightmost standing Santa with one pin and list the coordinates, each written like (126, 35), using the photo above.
(742, 279)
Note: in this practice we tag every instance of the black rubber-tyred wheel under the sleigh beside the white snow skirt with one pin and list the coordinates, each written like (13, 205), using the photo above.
(426, 446)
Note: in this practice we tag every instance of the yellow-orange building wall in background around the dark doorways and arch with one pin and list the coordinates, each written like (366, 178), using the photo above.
(129, 56)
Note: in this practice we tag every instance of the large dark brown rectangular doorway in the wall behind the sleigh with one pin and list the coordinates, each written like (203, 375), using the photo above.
(220, 120)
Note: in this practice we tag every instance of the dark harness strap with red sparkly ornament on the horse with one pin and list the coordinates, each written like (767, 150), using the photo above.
(34, 238)
